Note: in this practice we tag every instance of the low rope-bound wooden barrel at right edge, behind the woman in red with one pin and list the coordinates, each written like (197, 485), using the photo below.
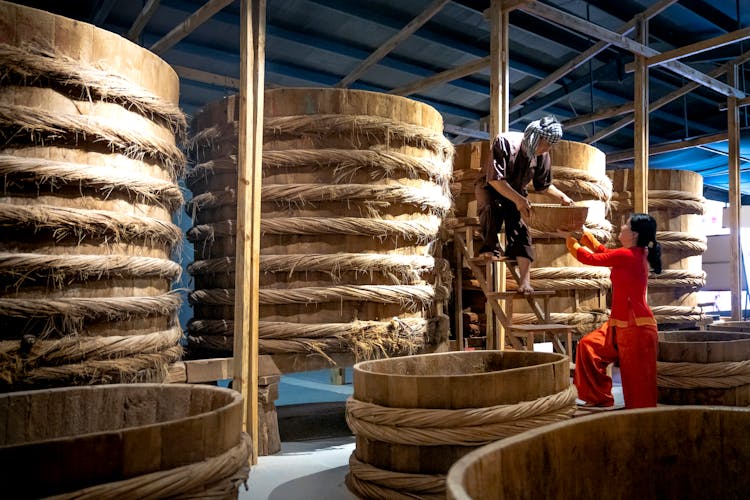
(704, 368)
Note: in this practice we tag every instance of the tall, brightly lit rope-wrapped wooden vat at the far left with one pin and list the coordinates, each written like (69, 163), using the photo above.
(88, 122)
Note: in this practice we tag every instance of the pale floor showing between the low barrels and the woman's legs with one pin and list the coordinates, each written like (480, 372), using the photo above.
(314, 469)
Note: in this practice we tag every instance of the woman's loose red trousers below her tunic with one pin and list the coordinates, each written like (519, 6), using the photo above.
(635, 347)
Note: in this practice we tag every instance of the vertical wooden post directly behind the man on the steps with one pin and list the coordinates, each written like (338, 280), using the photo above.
(499, 122)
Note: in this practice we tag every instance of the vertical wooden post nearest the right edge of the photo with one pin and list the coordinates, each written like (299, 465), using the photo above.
(733, 136)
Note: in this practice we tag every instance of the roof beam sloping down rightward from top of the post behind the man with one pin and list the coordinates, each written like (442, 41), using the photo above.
(583, 26)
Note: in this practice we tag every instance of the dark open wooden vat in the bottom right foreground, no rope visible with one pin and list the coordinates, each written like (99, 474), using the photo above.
(656, 453)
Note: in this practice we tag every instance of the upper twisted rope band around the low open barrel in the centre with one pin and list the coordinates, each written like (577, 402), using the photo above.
(460, 427)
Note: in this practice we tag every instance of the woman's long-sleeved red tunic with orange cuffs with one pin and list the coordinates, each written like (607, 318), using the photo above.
(629, 275)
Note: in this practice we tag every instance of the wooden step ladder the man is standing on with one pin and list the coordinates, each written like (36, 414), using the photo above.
(488, 272)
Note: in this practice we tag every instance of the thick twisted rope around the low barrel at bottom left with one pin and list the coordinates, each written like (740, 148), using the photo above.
(216, 478)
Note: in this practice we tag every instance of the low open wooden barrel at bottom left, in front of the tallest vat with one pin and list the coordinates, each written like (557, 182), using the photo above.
(123, 441)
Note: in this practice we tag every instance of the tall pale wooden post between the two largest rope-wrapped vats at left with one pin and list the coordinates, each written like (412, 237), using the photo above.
(249, 162)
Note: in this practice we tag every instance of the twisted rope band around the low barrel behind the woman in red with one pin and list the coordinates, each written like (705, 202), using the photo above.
(719, 375)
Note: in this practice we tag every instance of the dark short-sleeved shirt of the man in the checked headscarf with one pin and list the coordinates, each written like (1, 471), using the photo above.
(509, 162)
